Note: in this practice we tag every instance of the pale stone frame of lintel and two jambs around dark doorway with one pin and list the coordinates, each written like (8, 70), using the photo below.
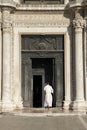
(17, 57)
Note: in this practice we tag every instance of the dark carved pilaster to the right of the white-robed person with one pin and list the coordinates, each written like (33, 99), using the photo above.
(59, 80)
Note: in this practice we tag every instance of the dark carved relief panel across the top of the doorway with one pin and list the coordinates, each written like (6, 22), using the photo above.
(42, 42)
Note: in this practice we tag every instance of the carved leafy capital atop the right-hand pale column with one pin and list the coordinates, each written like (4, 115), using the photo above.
(79, 22)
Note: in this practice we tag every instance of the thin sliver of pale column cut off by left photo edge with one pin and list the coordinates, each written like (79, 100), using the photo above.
(0, 55)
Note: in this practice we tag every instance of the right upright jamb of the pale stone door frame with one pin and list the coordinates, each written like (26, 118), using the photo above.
(67, 99)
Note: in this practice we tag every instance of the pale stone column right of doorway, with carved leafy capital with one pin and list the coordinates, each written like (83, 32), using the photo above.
(78, 24)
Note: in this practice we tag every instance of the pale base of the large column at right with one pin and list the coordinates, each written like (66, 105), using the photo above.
(79, 105)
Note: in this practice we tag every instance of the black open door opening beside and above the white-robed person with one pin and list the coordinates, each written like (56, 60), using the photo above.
(42, 72)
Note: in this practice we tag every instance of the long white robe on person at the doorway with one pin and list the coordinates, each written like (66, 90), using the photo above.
(48, 96)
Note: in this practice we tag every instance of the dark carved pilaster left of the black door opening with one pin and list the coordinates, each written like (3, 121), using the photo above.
(26, 85)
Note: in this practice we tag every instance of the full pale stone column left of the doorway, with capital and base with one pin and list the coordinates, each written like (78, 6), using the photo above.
(6, 95)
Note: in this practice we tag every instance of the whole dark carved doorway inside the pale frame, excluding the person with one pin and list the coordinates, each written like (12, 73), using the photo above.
(42, 63)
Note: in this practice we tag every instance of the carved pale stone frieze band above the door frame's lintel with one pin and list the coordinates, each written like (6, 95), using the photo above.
(41, 20)
